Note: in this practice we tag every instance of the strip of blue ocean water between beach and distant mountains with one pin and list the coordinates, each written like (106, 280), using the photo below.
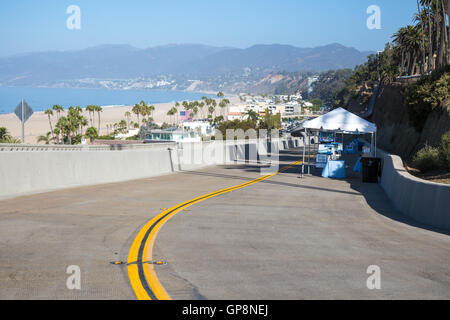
(41, 99)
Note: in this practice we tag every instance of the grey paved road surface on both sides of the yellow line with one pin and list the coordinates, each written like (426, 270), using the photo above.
(281, 238)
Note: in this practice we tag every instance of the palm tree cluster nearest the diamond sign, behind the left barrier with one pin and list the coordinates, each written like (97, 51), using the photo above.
(69, 128)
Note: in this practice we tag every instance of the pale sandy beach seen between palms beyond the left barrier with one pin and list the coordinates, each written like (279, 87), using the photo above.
(38, 123)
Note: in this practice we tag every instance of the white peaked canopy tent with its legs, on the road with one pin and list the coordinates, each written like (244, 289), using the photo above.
(340, 121)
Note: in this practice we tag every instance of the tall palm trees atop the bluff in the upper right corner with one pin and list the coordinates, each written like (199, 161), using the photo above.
(424, 47)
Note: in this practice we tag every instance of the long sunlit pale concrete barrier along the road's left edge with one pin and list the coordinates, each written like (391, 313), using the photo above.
(38, 168)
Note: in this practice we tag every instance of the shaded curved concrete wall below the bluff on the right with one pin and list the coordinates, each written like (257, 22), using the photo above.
(422, 200)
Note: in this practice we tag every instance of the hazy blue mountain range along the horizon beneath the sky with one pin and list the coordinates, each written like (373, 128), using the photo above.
(187, 61)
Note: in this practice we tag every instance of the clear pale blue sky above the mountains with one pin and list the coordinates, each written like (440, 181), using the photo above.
(40, 25)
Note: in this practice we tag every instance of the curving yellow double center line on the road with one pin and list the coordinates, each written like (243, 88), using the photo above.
(142, 276)
